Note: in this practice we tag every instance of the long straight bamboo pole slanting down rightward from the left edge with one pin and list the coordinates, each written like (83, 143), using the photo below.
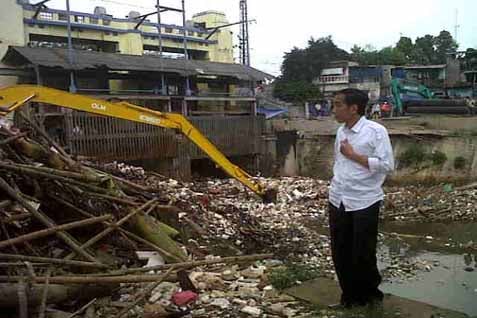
(45, 220)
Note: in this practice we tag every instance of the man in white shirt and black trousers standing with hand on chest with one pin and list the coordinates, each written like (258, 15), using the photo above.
(363, 158)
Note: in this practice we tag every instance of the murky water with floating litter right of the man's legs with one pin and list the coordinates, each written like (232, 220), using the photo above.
(439, 273)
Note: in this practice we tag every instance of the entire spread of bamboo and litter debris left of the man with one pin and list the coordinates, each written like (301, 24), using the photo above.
(80, 239)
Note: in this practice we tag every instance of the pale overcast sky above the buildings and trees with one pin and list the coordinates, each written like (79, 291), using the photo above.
(283, 24)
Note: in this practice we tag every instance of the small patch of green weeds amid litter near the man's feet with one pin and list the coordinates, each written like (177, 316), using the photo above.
(286, 277)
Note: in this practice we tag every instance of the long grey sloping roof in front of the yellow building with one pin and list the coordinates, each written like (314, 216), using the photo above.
(83, 60)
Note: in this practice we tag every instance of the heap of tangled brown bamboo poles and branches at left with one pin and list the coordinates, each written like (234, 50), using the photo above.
(70, 233)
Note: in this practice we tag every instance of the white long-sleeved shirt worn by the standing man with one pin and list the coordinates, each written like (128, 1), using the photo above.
(354, 185)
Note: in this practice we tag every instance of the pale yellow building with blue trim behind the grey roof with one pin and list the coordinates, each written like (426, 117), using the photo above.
(21, 24)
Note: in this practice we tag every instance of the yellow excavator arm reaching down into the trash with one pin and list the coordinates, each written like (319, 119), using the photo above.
(15, 96)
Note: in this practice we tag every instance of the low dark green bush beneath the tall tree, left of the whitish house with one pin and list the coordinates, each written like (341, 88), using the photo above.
(295, 91)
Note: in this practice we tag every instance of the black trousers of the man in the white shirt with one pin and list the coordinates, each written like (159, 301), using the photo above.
(353, 244)
